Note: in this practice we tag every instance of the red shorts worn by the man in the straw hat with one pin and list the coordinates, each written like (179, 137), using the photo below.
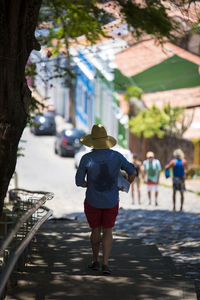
(97, 217)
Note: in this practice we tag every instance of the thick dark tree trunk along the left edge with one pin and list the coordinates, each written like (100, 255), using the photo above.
(18, 20)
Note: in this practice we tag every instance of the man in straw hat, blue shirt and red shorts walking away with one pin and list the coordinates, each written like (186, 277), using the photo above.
(98, 172)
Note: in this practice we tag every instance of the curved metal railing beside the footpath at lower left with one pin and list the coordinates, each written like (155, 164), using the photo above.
(28, 213)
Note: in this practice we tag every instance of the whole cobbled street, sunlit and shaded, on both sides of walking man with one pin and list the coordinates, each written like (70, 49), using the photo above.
(176, 234)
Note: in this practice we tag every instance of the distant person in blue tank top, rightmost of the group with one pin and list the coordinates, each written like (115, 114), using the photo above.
(178, 164)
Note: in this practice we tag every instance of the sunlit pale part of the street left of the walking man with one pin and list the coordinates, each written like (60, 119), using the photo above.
(41, 169)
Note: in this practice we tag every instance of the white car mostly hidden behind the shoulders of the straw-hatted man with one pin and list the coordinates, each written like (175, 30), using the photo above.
(84, 149)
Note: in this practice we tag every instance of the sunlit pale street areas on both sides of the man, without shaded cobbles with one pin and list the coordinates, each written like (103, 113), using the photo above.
(41, 169)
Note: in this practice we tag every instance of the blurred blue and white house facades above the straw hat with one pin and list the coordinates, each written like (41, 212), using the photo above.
(95, 96)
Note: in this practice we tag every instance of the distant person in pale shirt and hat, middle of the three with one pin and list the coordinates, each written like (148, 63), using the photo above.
(152, 170)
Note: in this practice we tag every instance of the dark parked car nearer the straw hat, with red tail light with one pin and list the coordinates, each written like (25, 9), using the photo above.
(67, 141)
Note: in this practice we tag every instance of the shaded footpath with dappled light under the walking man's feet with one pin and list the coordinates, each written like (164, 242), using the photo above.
(58, 269)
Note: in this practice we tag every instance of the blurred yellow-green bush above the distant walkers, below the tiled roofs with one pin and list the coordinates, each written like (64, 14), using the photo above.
(158, 122)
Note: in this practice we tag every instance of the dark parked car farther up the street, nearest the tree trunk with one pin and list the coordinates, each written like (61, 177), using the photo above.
(44, 124)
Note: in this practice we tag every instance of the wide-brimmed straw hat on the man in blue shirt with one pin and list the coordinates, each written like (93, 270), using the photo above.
(98, 139)
